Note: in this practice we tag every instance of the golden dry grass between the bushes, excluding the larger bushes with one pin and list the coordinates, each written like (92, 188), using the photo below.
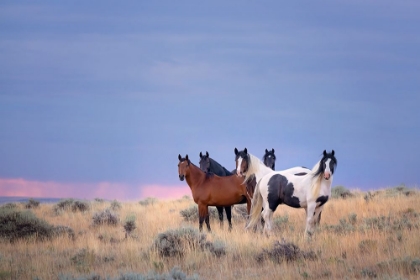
(348, 244)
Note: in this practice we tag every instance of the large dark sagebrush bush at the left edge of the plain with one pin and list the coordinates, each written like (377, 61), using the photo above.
(15, 224)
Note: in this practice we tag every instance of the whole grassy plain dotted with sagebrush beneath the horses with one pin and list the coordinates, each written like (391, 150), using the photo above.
(356, 240)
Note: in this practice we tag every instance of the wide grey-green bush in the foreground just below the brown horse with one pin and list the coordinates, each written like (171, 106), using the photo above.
(176, 242)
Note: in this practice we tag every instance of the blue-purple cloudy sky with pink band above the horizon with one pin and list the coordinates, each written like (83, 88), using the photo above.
(98, 98)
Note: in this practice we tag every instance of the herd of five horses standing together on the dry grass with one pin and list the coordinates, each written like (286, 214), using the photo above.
(256, 183)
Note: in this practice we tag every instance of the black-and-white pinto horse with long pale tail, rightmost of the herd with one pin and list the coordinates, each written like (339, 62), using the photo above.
(309, 189)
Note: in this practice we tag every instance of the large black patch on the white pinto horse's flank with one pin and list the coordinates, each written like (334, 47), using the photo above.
(280, 190)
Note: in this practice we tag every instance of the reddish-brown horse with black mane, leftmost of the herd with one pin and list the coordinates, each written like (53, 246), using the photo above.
(212, 190)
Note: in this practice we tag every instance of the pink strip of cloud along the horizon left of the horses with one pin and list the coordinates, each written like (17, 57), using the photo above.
(105, 190)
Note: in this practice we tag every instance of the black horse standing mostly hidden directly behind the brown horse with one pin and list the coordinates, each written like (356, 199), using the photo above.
(209, 165)
